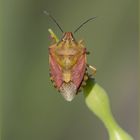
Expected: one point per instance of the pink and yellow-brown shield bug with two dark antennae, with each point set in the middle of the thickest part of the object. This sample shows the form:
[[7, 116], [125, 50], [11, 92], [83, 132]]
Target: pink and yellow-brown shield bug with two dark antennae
[[68, 64]]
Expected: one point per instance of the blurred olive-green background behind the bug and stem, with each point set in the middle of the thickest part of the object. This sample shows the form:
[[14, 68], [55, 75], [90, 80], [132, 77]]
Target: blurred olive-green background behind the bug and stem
[[31, 108]]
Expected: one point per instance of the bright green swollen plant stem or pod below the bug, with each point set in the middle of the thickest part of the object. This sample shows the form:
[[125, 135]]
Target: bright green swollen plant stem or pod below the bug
[[97, 101]]
